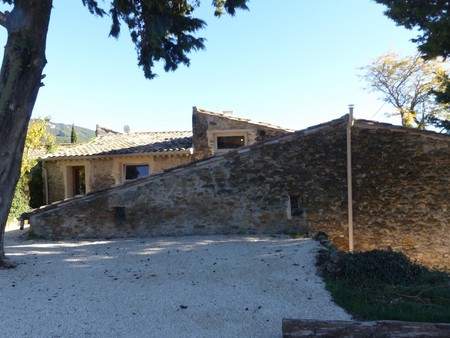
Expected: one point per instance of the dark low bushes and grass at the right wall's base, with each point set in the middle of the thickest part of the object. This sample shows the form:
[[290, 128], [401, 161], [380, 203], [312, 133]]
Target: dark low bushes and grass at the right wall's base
[[385, 285]]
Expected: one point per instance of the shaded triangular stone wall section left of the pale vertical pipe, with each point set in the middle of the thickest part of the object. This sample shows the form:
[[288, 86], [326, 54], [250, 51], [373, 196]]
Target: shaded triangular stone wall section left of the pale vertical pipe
[[275, 186]]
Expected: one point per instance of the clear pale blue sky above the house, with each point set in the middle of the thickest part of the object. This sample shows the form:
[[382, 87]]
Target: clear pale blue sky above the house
[[293, 63]]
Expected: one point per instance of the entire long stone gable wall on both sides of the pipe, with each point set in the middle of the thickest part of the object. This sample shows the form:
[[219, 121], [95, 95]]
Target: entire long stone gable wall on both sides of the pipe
[[291, 183]]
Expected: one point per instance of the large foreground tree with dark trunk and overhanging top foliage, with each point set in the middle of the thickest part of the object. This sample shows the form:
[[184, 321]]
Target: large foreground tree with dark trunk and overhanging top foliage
[[161, 30]]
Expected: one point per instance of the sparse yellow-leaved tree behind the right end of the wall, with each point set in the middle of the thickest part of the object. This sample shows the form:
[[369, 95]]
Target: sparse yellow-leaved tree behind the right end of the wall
[[406, 84]]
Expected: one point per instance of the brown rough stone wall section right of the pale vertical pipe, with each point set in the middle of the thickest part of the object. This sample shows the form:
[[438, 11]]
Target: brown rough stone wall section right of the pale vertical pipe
[[401, 193]]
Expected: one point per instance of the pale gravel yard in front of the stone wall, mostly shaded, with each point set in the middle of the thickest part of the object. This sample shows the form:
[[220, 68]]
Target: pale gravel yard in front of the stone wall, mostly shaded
[[215, 286]]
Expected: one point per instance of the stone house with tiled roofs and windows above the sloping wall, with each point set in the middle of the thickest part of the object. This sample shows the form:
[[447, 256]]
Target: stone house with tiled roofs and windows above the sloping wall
[[113, 158]]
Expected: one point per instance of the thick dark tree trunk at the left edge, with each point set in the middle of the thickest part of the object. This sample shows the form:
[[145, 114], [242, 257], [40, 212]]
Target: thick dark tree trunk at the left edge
[[20, 79]]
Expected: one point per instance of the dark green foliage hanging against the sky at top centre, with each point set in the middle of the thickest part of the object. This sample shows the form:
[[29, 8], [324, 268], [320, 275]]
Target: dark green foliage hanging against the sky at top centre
[[161, 30]]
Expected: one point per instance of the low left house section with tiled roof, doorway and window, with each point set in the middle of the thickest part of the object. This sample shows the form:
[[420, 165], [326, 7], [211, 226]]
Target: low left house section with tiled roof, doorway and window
[[110, 160]]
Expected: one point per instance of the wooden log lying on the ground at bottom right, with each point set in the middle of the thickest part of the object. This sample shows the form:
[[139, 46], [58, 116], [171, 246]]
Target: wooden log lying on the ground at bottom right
[[296, 328]]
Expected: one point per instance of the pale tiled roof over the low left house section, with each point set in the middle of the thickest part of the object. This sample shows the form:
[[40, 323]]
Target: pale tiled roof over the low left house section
[[127, 144]]
